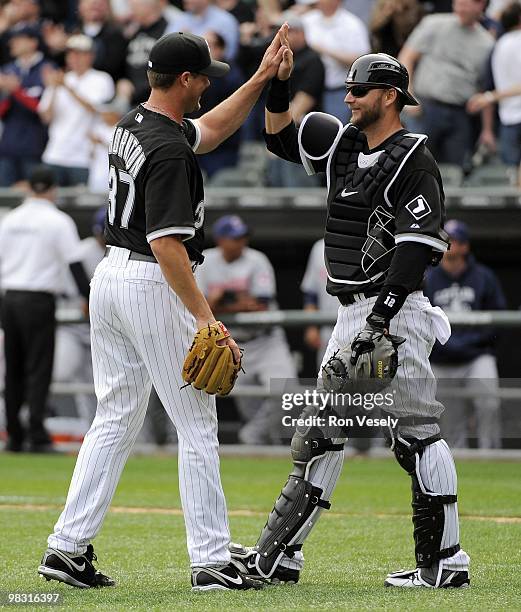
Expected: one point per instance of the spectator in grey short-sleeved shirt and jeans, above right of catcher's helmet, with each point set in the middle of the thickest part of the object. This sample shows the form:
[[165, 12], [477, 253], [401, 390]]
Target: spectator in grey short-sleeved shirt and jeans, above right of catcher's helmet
[[445, 56]]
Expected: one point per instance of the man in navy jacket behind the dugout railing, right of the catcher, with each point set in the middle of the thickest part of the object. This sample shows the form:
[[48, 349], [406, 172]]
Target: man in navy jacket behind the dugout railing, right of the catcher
[[461, 284]]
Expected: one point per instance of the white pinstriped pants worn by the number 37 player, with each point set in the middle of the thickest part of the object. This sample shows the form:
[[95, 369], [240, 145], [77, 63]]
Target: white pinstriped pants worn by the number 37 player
[[140, 334]]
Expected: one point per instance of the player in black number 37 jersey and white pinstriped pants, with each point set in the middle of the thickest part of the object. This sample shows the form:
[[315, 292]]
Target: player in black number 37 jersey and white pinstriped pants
[[145, 308]]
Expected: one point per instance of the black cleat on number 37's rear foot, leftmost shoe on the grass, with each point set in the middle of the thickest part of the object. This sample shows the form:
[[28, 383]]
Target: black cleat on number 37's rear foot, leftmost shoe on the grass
[[76, 570]]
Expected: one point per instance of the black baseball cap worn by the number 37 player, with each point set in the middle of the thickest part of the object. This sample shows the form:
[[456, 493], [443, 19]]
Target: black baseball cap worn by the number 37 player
[[181, 52]]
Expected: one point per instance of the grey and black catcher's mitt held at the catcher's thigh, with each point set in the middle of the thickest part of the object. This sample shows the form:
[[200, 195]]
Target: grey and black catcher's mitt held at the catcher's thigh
[[373, 356]]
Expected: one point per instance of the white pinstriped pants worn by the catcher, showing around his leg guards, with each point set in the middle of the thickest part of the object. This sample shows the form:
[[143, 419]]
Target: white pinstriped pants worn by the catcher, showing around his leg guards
[[419, 323]]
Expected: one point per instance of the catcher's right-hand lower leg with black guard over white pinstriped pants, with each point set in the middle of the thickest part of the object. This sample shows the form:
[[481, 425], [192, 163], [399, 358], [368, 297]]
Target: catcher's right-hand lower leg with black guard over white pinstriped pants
[[435, 516]]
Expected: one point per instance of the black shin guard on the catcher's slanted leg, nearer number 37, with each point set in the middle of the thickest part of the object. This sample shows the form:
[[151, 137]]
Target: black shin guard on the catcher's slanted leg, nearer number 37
[[299, 504]]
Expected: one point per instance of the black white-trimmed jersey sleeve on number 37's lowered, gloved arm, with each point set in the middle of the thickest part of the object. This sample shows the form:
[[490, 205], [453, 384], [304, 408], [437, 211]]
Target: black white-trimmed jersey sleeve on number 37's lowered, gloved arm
[[168, 200]]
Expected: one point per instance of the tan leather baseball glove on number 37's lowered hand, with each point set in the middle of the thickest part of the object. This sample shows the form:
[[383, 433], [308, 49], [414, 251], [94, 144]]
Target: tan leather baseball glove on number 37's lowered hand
[[208, 365]]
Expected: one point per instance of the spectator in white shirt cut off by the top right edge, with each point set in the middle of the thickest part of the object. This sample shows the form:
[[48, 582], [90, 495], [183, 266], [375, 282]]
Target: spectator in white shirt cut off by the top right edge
[[506, 72]]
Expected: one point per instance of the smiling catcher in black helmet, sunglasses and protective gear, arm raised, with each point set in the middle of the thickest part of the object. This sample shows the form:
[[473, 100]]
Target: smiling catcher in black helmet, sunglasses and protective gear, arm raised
[[383, 229]]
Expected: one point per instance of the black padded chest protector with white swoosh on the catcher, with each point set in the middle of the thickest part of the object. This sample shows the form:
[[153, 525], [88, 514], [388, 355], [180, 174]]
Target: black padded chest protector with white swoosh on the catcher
[[357, 187]]
